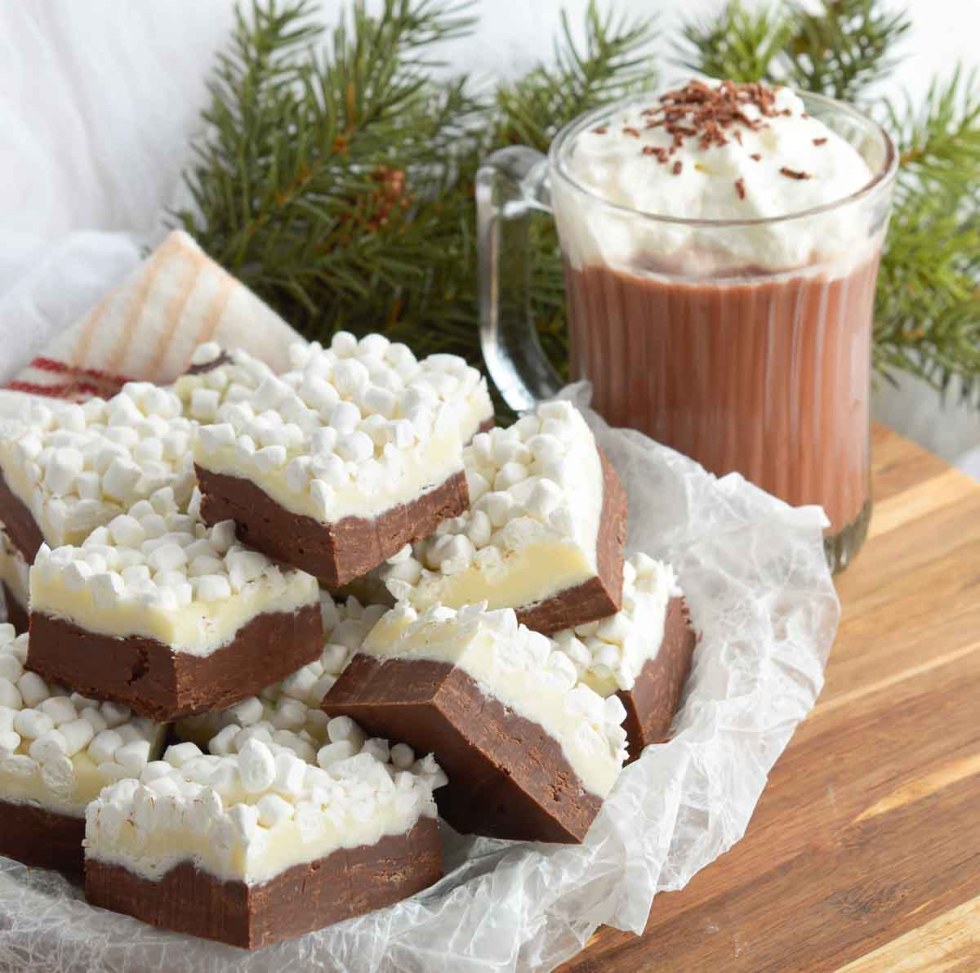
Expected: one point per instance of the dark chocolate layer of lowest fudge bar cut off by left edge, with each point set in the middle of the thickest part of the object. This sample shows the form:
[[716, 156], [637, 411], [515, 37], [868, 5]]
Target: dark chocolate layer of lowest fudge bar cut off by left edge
[[42, 838]]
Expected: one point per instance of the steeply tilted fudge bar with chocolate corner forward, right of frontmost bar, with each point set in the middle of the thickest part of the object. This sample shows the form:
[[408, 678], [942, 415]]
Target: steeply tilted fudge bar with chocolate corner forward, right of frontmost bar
[[530, 752]]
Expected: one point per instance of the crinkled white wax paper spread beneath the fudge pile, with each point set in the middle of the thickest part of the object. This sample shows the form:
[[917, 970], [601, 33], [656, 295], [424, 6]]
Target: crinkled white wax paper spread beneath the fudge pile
[[760, 595]]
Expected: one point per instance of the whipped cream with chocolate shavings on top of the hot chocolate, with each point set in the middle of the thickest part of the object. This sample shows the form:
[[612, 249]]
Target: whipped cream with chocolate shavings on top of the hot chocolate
[[711, 151]]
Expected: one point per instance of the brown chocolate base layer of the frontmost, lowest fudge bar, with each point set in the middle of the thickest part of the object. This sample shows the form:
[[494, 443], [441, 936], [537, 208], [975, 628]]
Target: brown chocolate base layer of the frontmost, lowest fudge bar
[[309, 896]]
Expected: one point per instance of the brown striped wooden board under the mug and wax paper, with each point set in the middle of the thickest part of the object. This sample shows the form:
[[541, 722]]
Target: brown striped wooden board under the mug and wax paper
[[864, 852]]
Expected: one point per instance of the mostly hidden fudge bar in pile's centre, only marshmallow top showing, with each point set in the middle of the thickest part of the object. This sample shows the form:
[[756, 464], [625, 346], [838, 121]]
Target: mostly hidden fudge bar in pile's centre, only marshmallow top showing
[[294, 703]]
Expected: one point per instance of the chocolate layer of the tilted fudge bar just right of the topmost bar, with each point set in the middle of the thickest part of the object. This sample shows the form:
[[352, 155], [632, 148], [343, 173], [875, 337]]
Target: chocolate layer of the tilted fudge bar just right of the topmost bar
[[600, 595]]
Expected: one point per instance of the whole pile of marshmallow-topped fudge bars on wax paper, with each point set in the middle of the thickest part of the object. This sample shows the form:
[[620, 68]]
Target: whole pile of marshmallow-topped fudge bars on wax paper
[[186, 560]]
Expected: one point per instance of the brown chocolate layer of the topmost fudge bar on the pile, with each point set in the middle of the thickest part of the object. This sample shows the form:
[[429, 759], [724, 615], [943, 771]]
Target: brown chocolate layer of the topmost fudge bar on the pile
[[335, 553]]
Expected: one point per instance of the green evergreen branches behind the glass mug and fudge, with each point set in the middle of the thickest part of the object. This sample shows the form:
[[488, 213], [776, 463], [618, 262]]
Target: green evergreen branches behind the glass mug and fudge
[[336, 173]]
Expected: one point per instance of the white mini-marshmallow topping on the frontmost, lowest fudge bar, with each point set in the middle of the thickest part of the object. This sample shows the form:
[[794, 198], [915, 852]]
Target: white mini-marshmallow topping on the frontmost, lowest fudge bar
[[249, 815]]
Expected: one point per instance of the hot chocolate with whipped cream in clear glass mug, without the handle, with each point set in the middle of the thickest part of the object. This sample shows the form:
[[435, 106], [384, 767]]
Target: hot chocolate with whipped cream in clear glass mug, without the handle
[[721, 247]]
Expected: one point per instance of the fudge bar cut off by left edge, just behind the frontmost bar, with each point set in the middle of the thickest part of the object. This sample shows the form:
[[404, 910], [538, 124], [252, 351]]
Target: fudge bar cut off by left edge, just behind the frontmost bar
[[57, 751]]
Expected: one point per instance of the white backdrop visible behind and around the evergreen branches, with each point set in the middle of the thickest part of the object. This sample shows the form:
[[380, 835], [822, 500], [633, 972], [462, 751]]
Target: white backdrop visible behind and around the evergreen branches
[[97, 101]]
